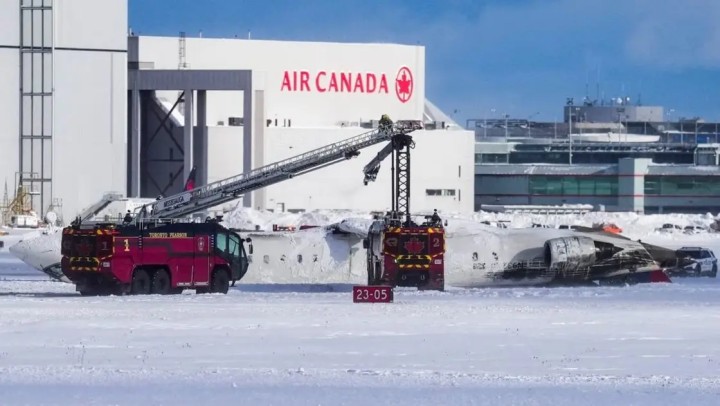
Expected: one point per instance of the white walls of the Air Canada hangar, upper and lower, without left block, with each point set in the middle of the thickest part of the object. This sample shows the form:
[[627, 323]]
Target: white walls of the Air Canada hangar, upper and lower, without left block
[[315, 94]]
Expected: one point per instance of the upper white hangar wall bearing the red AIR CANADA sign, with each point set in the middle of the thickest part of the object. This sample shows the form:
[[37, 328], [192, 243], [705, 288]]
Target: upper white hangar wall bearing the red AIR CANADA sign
[[310, 84]]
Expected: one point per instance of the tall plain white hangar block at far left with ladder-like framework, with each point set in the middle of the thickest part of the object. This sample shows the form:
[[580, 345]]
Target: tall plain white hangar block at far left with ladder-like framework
[[72, 137]]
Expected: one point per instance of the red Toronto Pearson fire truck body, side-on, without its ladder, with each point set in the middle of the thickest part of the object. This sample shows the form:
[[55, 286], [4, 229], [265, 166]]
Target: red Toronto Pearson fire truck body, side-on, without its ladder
[[153, 257]]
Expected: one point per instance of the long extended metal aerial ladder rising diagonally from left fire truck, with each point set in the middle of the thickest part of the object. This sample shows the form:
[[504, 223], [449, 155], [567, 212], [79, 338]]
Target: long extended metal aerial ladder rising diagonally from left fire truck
[[229, 189]]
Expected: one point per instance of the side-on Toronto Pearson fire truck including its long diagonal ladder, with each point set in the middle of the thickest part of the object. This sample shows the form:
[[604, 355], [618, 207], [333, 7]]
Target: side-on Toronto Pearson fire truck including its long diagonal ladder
[[160, 249]]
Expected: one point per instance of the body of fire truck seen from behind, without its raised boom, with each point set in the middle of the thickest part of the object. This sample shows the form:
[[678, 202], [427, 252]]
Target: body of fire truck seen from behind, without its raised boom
[[411, 255]]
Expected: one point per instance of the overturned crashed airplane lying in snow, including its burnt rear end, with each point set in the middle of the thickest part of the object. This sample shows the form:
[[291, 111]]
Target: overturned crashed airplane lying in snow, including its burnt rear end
[[477, 255]]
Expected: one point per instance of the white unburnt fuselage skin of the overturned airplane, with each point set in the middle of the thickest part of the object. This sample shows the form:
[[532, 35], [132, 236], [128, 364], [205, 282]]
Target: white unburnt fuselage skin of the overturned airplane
[[474, 251]]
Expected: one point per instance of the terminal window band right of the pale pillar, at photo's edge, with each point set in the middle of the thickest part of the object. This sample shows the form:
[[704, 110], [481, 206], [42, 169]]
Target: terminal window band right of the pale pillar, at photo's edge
[[682, 185]]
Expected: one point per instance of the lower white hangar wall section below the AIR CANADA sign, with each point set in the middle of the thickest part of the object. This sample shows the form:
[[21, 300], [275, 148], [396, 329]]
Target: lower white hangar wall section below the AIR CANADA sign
[[442, 173]]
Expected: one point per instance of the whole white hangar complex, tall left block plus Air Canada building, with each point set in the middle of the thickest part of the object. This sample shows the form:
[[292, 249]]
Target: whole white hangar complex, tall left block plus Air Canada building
[[87, 114]]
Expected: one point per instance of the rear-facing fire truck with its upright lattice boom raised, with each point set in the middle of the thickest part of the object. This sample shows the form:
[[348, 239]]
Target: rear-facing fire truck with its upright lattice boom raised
[[400, 251]]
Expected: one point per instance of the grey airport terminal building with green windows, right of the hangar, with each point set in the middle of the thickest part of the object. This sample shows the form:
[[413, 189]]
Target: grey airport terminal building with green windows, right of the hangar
[[645, 173]]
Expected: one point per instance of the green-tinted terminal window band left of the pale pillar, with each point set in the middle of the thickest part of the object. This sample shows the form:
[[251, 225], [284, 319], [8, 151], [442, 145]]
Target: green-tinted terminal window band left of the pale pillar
[[573, 185]]
